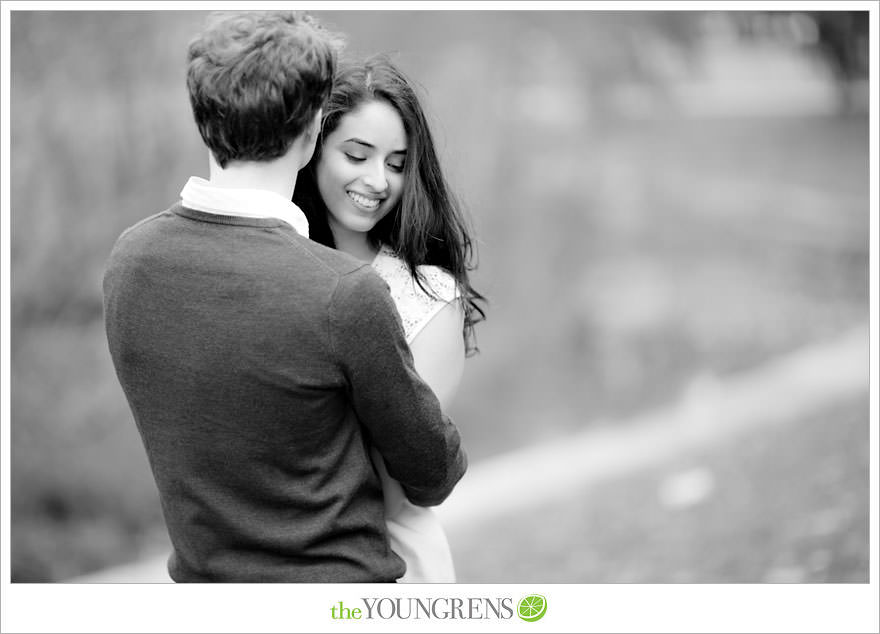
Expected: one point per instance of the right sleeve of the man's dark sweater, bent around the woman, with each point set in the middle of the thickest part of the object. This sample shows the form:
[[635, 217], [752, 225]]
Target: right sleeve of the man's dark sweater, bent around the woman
[[420, 445]]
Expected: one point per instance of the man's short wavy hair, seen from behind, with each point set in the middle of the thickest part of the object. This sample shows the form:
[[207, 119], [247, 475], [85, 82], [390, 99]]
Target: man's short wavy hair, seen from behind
[[256, 80]]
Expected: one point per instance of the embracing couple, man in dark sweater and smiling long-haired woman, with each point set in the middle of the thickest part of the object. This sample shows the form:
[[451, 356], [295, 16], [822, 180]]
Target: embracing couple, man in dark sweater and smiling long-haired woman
[[288, 334]]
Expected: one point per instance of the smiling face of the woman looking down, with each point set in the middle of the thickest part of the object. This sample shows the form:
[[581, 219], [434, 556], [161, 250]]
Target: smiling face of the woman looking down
[[360, 172]]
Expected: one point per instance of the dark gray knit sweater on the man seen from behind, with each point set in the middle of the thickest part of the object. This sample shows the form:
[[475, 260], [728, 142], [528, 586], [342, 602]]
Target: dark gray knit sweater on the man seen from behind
[[259, 367]]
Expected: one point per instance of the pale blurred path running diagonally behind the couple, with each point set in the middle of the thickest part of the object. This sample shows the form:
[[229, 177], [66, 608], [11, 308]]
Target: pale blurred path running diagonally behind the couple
[[710, 411]]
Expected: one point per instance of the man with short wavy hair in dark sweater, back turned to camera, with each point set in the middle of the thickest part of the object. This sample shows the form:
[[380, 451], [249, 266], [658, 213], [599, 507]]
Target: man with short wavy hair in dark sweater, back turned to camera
[[260, 366]]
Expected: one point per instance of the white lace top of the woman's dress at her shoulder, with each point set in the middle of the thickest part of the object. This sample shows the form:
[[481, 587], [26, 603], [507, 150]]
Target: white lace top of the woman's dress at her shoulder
[[416, 307]]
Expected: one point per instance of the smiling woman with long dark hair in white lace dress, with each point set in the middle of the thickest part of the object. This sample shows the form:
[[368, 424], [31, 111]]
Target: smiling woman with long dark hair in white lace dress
[[374, 189]]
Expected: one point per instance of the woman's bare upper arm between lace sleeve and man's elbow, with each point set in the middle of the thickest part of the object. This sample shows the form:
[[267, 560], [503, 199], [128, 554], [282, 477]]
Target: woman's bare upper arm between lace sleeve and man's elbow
[[438, 352]]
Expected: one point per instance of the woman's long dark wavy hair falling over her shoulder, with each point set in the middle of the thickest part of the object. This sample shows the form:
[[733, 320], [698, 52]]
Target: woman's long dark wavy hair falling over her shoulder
[[427, 225]]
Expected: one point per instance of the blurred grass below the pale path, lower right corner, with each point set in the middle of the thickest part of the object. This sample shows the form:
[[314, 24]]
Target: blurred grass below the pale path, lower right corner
[[788, 505]]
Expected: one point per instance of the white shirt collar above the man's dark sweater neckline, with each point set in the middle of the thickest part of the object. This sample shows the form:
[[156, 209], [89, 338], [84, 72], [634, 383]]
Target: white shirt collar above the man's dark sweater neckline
[[201, 195]]
